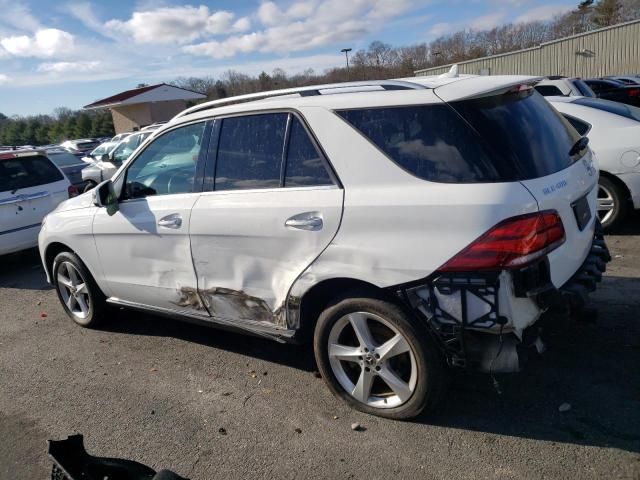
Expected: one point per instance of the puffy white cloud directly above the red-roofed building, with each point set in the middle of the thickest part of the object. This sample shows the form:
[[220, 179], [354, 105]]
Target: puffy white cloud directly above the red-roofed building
[[176, 25]]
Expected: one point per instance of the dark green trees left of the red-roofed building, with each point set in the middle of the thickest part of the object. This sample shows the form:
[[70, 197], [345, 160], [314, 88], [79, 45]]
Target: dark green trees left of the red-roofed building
[[63, 124]]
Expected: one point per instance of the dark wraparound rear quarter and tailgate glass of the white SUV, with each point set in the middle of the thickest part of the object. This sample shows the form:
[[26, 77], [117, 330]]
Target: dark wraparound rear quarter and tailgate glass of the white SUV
[[501, 138]]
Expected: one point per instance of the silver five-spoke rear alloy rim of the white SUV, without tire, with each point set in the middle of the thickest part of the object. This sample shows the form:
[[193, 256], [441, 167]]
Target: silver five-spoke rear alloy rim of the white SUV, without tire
[[372, 360]]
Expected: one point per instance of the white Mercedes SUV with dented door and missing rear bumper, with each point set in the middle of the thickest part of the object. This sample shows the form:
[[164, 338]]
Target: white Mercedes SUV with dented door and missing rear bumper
[[406, 226]]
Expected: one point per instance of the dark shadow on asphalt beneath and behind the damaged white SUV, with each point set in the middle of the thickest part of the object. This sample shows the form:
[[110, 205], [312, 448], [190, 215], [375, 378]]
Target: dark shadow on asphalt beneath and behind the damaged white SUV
[[592, 367]]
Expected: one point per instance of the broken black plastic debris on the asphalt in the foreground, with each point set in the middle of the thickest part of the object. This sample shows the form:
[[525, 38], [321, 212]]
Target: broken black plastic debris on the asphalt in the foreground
[[72, 462]]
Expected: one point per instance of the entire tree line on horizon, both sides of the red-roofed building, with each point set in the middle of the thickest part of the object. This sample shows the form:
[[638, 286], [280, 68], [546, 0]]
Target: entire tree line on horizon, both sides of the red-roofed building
[[379, 61]]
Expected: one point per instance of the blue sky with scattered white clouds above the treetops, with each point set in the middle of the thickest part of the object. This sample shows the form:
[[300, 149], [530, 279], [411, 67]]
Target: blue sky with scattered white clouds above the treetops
[[70, 53]]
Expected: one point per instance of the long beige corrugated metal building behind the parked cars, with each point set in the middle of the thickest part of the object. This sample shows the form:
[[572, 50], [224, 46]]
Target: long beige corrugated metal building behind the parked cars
[[607, 51]]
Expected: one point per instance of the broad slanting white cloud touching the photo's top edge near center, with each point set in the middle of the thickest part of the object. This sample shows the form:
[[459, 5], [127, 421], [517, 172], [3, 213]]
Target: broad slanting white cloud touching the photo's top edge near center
[[327, 22]]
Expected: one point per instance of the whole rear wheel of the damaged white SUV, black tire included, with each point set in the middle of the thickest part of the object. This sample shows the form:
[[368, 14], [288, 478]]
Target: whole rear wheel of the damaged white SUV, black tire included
[[350, 368]]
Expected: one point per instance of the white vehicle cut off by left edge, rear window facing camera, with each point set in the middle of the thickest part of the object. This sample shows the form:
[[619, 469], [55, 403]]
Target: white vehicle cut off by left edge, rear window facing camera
[[31, 186]]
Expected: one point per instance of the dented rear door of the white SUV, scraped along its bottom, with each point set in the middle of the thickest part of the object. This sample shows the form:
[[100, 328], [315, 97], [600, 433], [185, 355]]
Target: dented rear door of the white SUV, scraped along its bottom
[[273, 204]]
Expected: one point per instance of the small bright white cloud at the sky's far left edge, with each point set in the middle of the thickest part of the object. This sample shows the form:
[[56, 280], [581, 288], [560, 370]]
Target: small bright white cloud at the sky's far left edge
[[49, 42]]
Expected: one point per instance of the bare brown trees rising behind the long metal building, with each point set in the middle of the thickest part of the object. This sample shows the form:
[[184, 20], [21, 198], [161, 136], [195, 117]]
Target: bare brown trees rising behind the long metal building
[[382, 60]]
